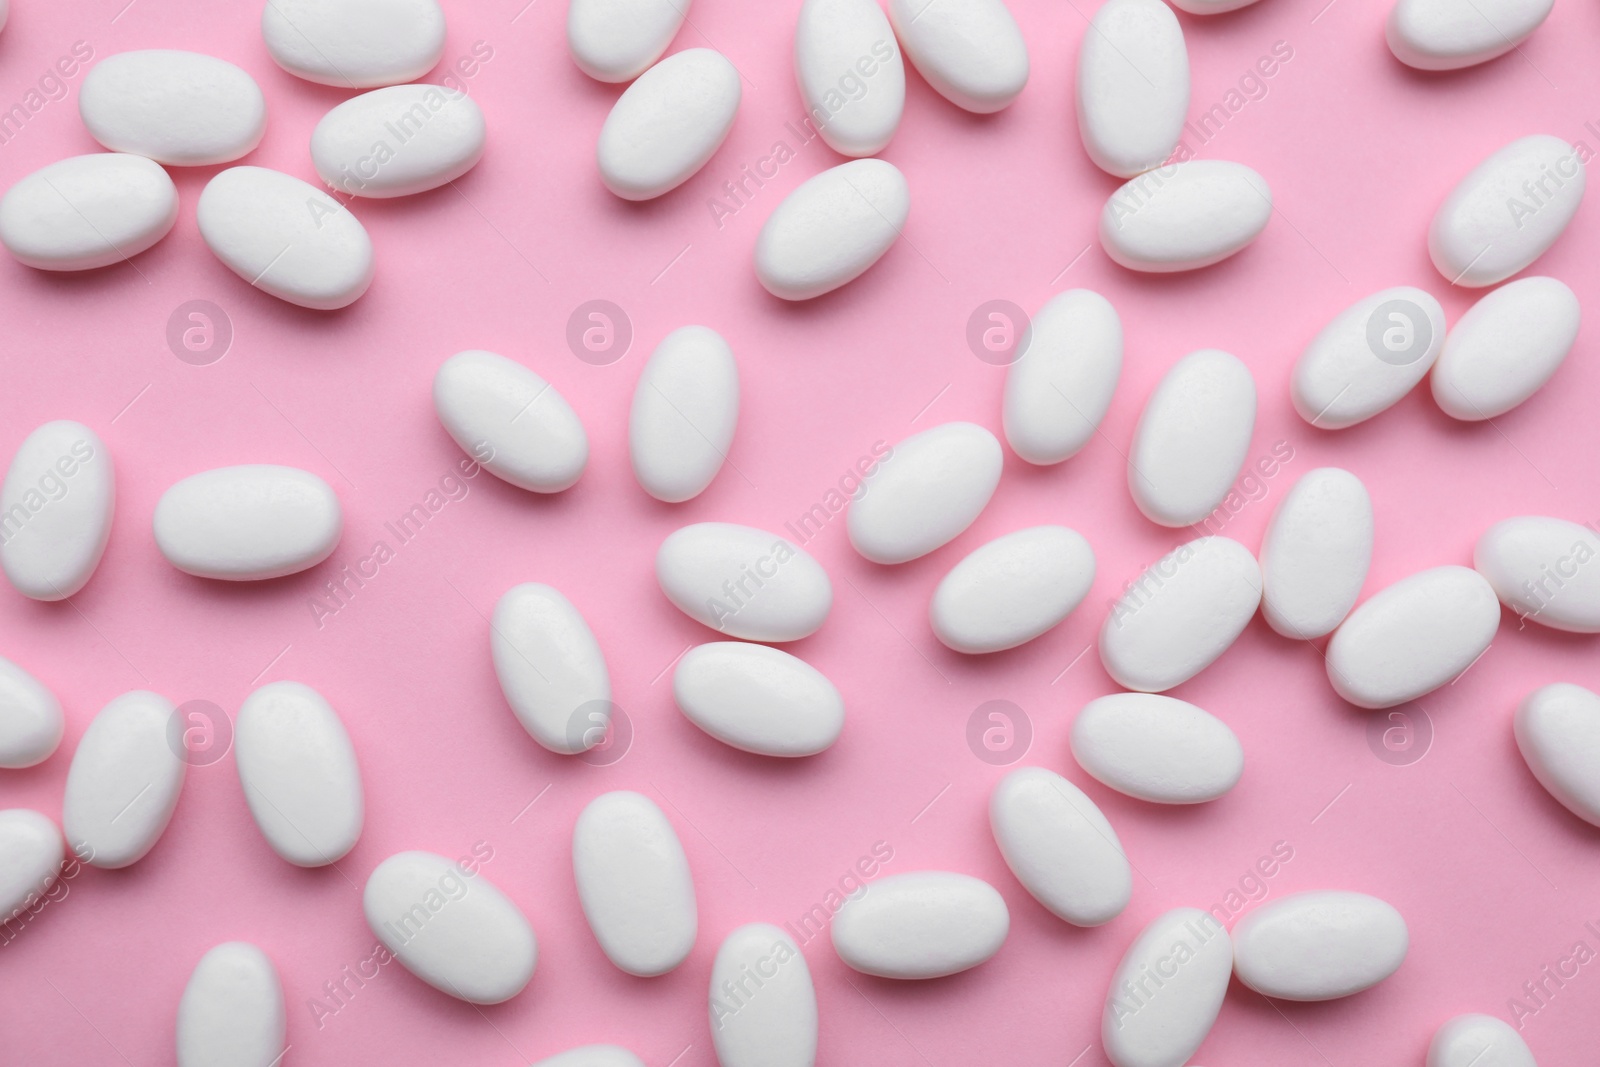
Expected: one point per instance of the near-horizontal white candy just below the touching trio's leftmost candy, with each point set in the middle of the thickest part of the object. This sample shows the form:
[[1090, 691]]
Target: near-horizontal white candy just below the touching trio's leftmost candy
[[1158, 749]]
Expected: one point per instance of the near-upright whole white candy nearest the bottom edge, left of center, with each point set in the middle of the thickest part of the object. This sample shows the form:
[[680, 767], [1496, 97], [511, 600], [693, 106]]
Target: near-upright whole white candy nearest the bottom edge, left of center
[[634, 884]]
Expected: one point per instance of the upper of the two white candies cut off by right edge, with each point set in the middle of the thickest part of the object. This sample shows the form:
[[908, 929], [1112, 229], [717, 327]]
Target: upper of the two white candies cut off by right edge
[[1540, 569]]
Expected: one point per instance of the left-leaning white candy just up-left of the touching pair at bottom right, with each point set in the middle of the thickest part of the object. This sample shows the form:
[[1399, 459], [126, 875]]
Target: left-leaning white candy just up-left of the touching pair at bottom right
[[1060, 847]]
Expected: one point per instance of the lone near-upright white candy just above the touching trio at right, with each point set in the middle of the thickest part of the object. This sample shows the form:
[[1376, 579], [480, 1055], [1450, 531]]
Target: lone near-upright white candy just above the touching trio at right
[[1193, 438]]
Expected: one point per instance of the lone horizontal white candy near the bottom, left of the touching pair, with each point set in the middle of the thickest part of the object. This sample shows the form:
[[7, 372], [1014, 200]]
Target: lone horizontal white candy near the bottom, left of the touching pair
[[926, 924]]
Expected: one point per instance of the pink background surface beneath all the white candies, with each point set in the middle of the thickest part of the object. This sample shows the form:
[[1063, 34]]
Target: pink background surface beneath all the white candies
[[1495, 879]]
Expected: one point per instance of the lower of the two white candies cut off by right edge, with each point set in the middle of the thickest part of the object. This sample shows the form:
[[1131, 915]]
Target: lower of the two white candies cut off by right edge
[[1559, 735]]
